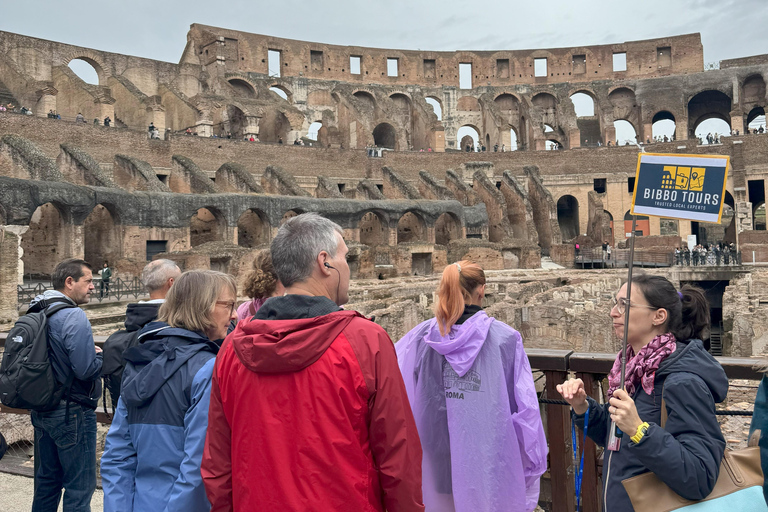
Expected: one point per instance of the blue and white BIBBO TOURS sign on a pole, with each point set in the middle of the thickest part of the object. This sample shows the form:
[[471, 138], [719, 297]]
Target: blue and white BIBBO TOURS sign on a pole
[[687, 187]]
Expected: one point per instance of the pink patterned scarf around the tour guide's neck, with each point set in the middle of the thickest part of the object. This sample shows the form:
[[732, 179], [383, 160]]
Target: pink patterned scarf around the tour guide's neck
[[641, 368]]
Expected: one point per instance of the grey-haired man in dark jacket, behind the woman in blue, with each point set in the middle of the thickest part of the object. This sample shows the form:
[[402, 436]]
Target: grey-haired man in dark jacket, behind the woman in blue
[[157, 277]]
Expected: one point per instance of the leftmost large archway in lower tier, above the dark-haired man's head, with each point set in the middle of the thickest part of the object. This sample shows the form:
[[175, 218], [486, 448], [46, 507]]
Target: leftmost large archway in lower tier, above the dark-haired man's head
[[45, 243]]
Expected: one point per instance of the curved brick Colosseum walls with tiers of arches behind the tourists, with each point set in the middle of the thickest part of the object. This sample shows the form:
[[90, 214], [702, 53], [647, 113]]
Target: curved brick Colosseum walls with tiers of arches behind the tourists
[[111, 193]]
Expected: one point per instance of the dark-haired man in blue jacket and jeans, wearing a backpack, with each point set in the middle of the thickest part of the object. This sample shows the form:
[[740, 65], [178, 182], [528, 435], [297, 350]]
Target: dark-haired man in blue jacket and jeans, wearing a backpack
[[65, 436]]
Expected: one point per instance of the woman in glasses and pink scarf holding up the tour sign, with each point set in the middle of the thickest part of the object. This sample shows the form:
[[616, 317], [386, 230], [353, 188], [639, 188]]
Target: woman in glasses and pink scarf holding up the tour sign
[[667, 360]]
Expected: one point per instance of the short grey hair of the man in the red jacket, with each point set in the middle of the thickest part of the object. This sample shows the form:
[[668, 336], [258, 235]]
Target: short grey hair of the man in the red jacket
[[297, 244]]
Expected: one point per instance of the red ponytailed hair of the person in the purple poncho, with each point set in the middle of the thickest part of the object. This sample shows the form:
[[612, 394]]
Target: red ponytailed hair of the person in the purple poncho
[[455, 291]]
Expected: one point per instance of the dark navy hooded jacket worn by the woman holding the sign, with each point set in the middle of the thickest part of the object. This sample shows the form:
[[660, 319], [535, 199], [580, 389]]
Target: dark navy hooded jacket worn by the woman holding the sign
[[686, 454]]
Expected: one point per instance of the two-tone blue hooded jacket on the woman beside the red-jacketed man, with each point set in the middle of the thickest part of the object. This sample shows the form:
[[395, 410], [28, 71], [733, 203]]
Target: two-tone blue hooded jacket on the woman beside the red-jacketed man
[[154, 447]]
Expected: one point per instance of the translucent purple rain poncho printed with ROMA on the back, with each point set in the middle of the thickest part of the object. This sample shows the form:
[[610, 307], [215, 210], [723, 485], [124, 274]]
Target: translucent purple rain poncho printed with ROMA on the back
[[476, 409]]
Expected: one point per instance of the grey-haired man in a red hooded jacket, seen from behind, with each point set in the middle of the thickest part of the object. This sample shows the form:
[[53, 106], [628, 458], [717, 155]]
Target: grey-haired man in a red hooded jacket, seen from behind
[[308, 407]]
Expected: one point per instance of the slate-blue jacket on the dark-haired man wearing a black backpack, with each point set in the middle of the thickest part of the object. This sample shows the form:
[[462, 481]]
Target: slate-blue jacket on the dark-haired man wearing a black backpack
[[72, 350]]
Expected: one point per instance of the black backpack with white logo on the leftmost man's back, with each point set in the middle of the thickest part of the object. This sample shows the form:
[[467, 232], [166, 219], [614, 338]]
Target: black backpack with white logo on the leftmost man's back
[[27, 380]]
